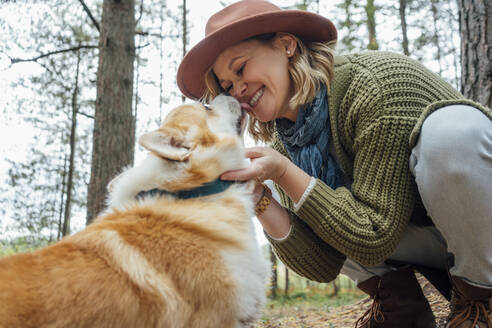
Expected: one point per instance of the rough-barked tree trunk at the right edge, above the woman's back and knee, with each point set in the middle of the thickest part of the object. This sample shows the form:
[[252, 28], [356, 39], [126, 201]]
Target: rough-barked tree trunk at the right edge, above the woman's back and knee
[[476, 38]]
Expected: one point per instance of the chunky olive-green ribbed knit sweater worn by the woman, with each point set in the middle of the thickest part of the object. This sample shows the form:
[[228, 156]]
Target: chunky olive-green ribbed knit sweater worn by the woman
[[377, 103]]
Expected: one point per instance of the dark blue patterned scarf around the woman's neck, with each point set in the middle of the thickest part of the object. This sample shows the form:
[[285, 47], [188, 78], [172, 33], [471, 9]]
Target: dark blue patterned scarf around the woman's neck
[[307, 140]]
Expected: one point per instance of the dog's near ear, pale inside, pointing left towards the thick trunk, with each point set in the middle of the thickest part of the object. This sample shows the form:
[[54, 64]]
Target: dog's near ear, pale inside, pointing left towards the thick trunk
[[172, 147]]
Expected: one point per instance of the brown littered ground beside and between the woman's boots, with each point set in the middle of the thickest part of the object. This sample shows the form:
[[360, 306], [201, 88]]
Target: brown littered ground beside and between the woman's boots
[[306, 316]]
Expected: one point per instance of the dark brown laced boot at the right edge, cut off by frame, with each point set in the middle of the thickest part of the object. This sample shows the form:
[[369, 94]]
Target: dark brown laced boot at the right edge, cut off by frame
[[470, 306]]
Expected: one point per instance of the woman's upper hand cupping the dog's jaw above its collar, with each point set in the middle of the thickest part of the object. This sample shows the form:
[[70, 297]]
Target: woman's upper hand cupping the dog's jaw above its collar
[[266, 163]]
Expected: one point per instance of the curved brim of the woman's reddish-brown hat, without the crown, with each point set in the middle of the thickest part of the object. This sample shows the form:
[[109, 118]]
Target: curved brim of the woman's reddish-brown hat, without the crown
[[306, 25]]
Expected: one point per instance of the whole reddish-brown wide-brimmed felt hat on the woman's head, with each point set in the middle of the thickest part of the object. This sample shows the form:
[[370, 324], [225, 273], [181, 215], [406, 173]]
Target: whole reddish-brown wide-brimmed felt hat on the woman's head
[[240, 21]]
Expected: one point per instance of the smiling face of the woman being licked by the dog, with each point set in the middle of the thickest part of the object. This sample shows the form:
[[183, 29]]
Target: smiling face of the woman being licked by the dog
[[256, 74]]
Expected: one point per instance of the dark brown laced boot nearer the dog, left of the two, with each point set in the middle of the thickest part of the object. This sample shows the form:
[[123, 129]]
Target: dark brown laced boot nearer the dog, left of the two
[[398, 302]]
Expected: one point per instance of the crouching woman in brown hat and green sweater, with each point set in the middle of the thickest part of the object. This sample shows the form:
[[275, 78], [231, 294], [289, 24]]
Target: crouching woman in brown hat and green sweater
[[364, 147]]
